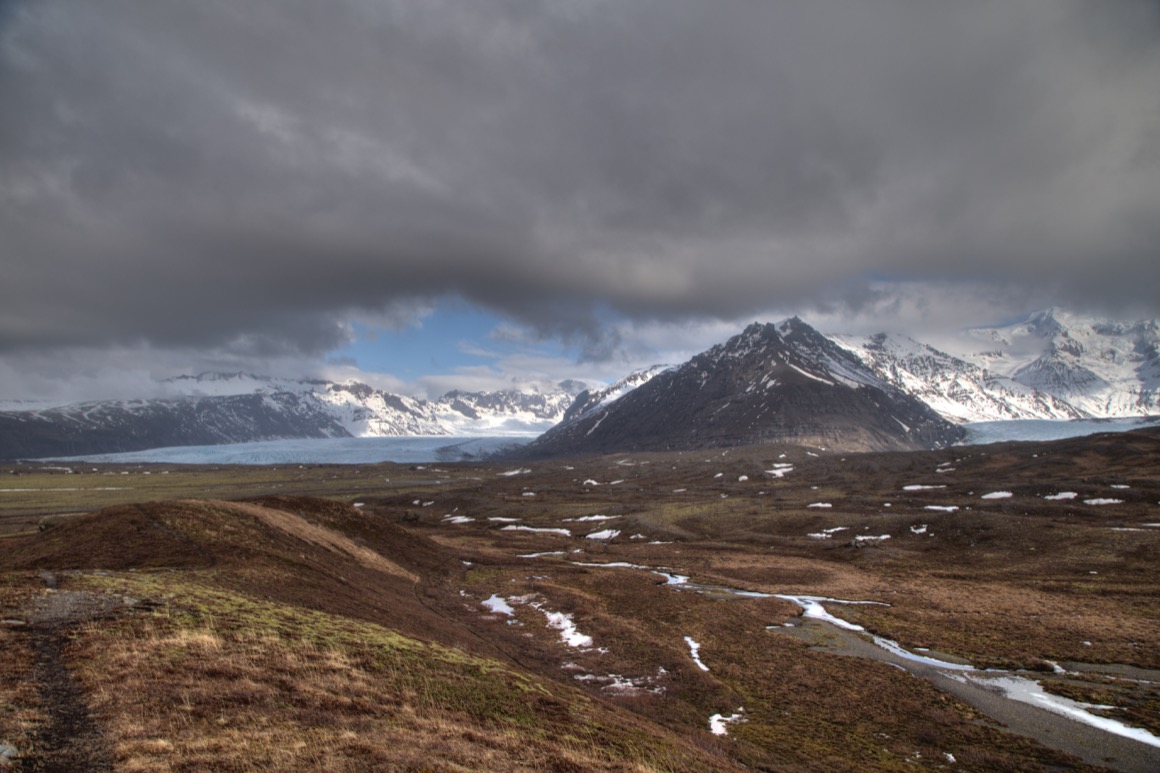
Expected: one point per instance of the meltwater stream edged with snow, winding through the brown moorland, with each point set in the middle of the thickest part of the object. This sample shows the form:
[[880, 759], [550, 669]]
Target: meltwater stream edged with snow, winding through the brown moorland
[[1017, 702]]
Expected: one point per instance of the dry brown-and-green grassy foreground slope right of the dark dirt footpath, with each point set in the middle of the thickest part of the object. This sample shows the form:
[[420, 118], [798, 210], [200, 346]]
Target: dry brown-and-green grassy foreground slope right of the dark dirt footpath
[[213, 682]]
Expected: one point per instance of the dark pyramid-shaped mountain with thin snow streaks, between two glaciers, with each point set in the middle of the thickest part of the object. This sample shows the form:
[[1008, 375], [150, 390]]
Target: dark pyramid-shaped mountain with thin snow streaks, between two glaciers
[[771, 385]]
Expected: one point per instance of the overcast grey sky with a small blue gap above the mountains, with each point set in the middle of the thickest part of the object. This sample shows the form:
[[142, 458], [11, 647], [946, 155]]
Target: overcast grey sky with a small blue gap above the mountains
[[430, 194]]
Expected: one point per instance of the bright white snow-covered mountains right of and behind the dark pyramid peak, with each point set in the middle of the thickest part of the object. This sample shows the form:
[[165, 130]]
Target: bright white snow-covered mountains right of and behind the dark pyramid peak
[[1050, 366]]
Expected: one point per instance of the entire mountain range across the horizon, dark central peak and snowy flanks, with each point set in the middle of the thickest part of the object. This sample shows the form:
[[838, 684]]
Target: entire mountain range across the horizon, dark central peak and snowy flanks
[[772, 384]]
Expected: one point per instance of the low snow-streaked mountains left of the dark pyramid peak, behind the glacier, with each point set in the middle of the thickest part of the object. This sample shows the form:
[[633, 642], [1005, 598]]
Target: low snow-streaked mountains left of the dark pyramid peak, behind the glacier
[[237, 408]]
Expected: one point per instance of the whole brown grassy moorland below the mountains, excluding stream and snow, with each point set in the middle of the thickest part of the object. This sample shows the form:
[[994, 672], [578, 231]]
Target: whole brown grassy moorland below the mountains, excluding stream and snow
[[330, 618]]
